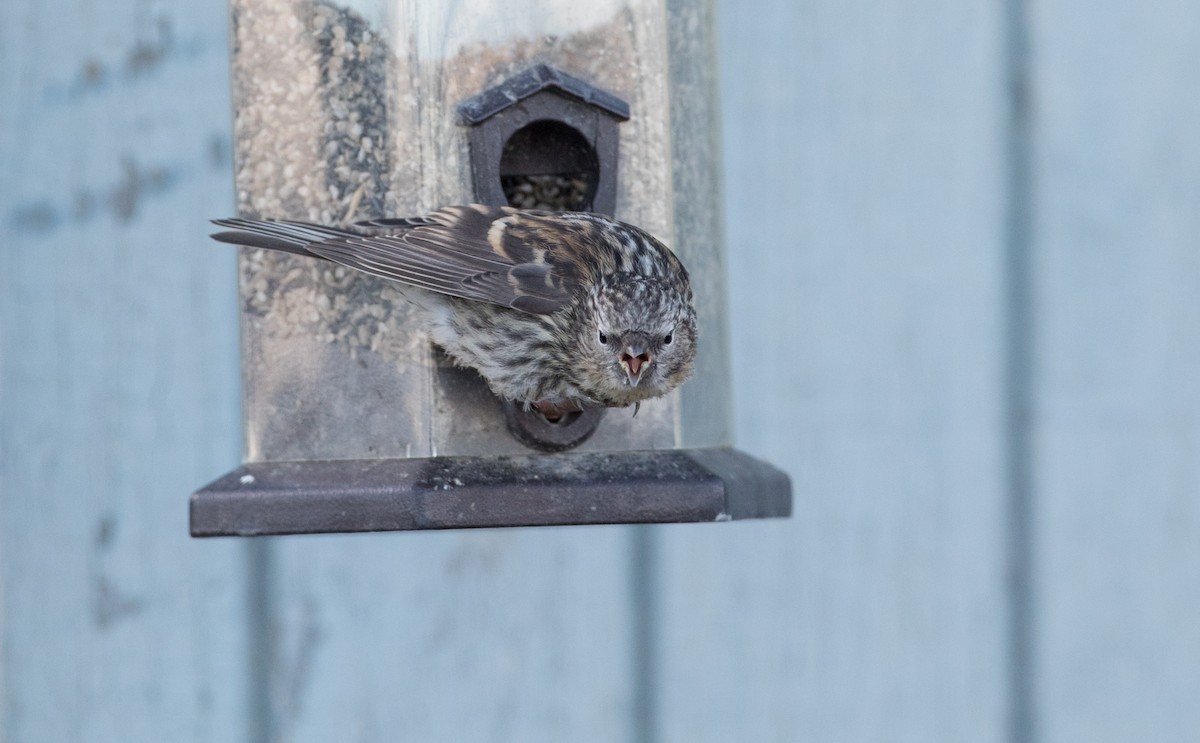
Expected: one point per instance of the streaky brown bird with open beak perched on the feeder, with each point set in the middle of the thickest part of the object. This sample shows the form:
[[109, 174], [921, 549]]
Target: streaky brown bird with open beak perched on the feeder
[[561, 311]]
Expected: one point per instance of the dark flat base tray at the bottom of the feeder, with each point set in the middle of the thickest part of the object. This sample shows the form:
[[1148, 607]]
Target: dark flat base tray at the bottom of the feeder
[[668, 487]]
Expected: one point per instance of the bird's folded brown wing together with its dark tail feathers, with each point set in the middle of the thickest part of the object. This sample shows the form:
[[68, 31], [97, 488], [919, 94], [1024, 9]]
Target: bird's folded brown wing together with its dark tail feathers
[[472, 253]]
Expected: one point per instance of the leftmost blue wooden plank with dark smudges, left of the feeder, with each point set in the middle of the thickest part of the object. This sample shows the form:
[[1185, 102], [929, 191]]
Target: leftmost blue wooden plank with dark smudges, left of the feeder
[[118, 376]]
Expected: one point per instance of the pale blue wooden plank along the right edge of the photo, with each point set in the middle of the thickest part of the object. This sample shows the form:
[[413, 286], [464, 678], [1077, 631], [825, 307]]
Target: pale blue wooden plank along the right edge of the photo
[[1117, 352]]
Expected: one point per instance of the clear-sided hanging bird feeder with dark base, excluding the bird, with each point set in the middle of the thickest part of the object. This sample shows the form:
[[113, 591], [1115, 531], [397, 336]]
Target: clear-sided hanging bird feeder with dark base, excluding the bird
[[355, 421]]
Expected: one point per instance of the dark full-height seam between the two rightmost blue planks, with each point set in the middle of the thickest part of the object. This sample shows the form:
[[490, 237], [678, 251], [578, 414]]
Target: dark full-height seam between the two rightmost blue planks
[[1019, 340]]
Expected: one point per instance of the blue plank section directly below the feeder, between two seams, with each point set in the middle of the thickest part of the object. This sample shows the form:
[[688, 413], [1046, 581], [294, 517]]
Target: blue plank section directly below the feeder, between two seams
[[501, 636]]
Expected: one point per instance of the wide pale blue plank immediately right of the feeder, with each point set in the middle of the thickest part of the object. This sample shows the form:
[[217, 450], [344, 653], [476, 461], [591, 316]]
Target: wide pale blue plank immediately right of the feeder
[[866, 208]]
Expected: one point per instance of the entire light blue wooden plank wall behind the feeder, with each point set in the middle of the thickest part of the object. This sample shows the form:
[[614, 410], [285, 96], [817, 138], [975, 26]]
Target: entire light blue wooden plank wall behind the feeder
[[964, 249]]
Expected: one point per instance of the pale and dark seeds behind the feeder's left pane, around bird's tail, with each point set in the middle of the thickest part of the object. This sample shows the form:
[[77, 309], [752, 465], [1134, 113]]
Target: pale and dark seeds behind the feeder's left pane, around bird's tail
[[311, 127]]
